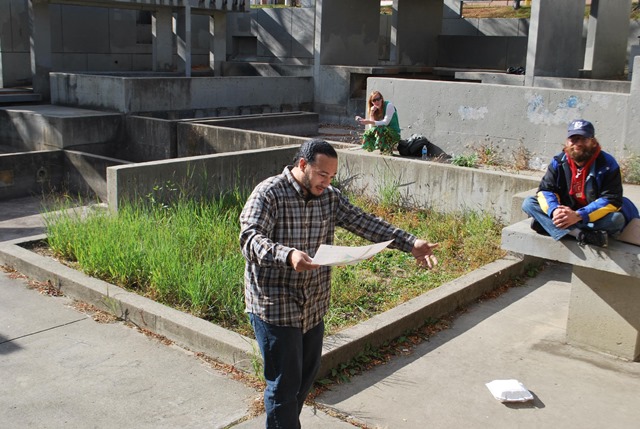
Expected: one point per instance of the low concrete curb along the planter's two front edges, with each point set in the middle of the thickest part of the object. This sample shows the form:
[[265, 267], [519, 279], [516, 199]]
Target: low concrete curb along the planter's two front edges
[[234, 349]]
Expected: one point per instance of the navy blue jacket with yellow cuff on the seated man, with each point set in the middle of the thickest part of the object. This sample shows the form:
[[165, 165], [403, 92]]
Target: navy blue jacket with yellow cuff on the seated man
[[603, 189]]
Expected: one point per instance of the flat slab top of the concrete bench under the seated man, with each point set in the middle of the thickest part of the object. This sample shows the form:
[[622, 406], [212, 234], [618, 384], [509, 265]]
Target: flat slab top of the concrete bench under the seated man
[[618, 258]]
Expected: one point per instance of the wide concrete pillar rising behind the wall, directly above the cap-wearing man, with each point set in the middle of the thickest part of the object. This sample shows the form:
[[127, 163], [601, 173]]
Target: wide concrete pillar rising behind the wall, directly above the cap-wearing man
[[555, 39]]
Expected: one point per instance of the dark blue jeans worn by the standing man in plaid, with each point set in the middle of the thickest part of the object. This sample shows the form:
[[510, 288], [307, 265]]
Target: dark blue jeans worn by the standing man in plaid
[[291, 362]]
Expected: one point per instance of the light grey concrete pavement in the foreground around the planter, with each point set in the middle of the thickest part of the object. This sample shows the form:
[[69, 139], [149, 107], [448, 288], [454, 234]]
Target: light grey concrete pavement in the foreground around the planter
[[59, 368]]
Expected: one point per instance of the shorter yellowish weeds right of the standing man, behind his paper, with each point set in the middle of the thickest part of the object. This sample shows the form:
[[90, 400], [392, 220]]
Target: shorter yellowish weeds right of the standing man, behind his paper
[[467, 241]]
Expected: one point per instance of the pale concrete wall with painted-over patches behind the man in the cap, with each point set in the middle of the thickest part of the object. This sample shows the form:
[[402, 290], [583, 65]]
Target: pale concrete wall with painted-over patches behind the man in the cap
[[458, 117]]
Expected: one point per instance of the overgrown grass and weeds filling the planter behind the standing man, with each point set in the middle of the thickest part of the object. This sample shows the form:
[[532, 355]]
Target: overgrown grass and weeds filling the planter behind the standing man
[[187, 256]]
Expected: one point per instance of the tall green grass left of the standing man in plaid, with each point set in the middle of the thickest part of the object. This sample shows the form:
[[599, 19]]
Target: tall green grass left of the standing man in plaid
[[185, 255]]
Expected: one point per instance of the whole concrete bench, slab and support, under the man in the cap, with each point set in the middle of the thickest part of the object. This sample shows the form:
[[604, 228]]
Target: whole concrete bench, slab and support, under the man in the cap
[[604, 308]]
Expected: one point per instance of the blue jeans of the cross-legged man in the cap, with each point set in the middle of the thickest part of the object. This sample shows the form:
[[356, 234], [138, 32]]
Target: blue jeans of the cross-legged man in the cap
[[611, 223]]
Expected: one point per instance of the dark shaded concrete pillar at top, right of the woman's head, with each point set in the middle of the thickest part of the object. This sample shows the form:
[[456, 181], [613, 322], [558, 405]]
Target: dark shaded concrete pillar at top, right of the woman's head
[[413, 44]]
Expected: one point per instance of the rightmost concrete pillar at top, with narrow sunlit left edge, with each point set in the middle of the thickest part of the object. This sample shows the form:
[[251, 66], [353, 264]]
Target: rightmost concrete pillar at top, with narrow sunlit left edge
[[608, 30]]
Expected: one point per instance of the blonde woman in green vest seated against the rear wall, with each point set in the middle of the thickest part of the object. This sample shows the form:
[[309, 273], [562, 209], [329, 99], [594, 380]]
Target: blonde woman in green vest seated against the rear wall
[[382, 125]]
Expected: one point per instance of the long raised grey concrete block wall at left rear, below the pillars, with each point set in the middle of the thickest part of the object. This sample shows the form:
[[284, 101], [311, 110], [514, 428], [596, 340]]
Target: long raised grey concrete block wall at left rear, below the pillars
[[133, 95]]
